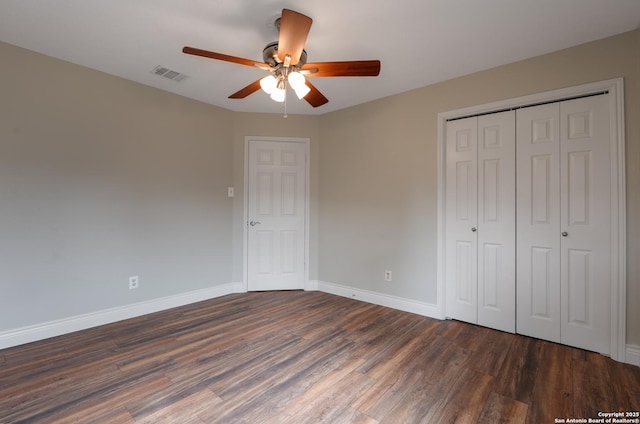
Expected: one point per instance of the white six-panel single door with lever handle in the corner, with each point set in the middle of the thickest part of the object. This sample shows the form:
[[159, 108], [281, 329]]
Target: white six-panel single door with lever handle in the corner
[[276, 215]]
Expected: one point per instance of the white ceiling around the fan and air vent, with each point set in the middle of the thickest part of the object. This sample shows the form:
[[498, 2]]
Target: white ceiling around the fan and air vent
[[419, 42]]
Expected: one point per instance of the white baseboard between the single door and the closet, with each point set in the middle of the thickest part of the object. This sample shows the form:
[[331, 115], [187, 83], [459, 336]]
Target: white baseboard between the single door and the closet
[[403, 304]]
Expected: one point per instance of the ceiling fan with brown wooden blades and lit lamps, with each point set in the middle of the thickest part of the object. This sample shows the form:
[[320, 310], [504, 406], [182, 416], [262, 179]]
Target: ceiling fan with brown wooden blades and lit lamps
[[286, 60]]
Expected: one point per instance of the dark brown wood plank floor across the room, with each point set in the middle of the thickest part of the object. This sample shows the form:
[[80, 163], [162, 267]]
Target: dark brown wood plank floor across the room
[[305, 357]]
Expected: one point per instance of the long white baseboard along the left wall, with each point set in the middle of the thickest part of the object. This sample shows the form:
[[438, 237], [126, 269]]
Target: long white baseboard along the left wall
[[81, 322]]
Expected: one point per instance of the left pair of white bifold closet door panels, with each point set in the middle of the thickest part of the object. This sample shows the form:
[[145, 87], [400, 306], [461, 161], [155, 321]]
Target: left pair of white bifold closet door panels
[[480, 208]]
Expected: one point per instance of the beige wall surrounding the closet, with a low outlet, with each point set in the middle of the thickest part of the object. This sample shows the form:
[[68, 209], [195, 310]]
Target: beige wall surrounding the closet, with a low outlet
[[378, 169]]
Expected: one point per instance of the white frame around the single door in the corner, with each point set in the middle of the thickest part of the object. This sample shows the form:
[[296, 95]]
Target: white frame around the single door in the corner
[[245, 217]]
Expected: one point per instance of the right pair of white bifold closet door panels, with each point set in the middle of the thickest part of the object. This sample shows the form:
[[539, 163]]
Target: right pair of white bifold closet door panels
[[563, 201]]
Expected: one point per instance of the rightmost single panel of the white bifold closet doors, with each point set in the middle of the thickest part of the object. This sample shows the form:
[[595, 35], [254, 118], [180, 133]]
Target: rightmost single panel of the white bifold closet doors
[[585, 204]]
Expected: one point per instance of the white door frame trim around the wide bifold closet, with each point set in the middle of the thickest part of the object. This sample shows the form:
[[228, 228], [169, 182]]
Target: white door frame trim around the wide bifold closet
[[615, 89]]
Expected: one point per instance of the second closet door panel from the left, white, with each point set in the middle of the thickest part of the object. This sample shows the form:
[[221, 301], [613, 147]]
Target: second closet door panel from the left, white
[[496, 221]]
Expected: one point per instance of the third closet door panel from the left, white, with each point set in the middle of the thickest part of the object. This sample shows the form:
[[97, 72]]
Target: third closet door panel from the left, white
[[538, 226]]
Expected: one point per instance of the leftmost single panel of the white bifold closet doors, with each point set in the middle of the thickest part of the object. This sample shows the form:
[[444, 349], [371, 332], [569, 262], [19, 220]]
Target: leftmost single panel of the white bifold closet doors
[[461, 215]]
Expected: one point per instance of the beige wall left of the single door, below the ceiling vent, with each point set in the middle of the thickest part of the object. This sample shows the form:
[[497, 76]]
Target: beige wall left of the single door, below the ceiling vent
[[100, 179]]
